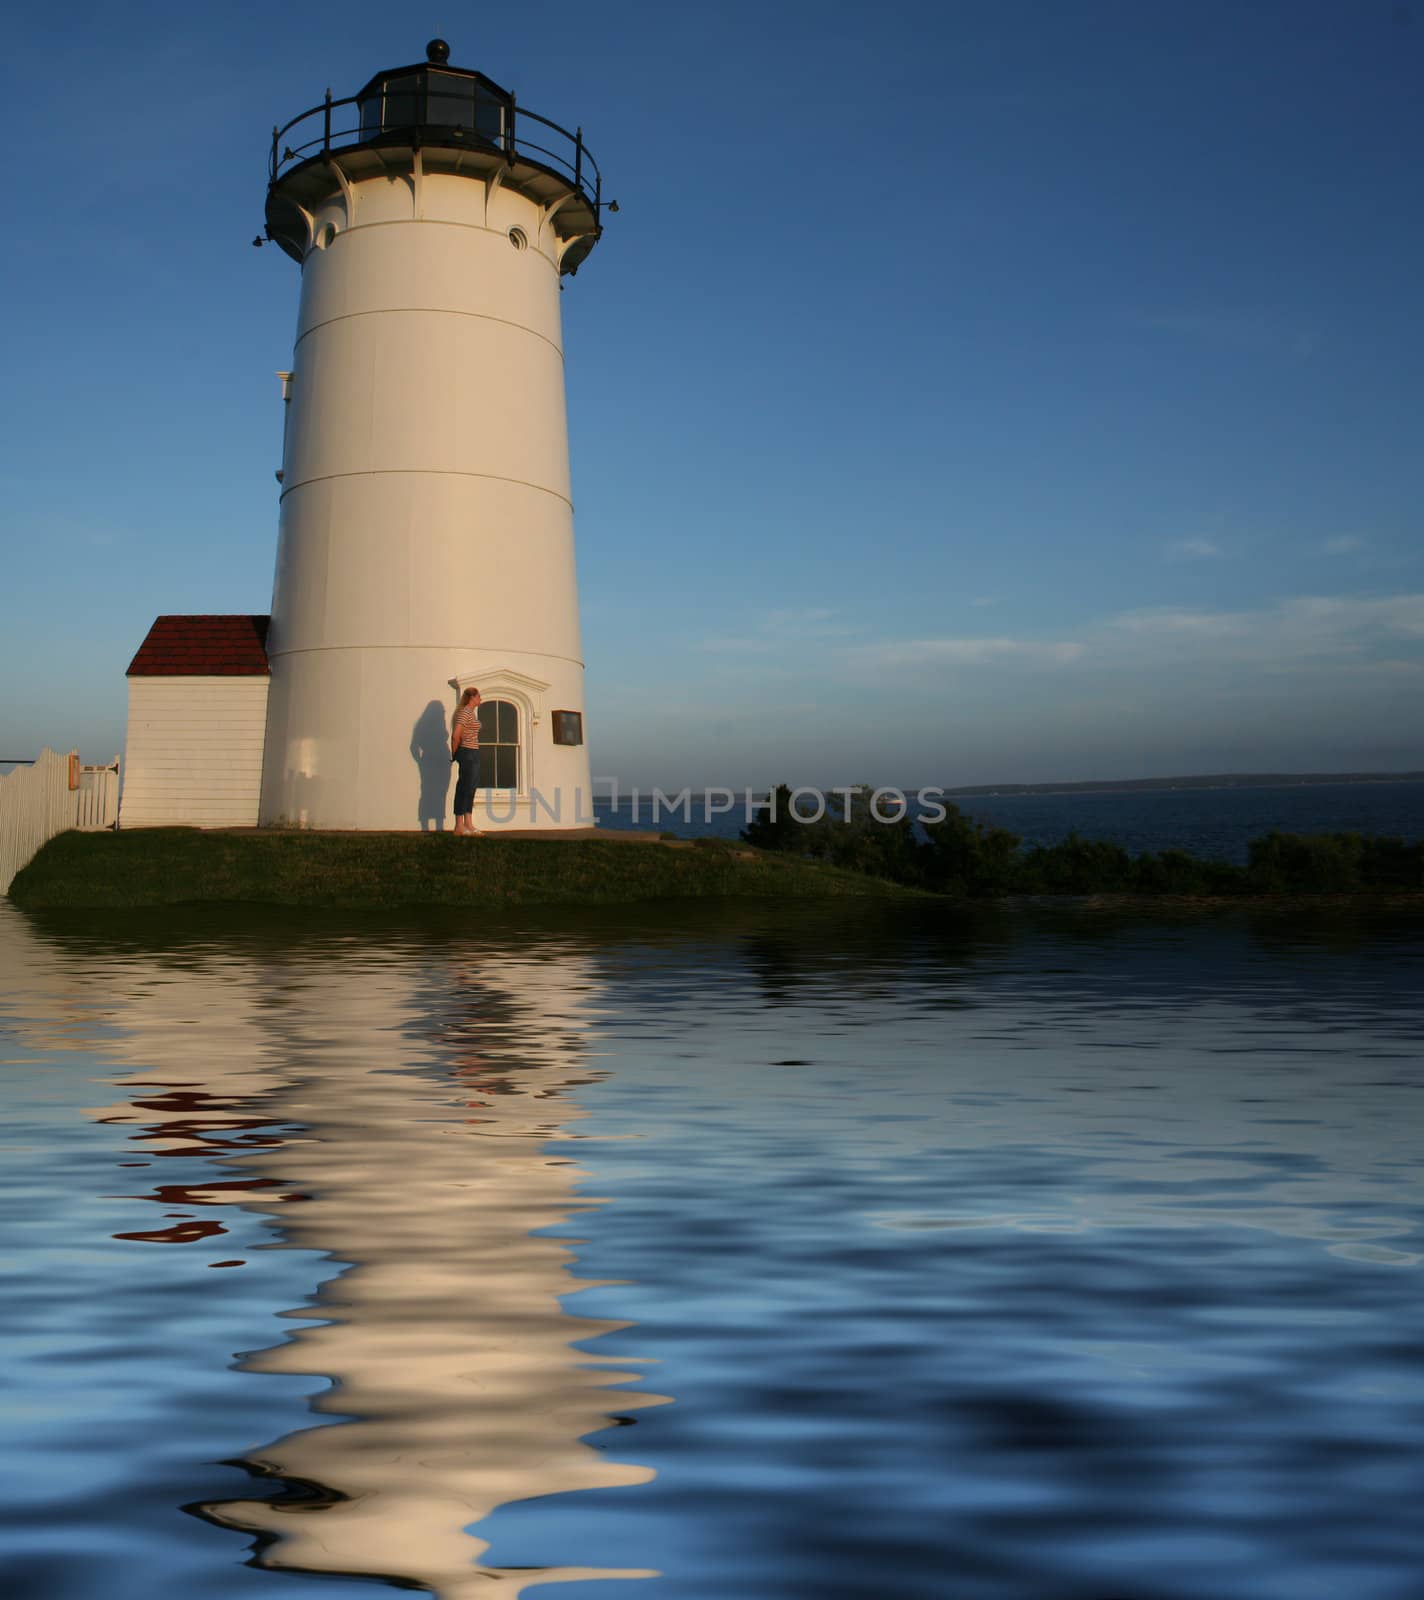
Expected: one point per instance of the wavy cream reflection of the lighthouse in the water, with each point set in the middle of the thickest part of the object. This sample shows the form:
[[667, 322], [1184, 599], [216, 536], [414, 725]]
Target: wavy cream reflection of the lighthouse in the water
[[431, 1108]]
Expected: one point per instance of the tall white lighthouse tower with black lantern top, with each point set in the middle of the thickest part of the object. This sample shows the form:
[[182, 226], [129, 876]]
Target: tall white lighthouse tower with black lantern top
[[426, 534]]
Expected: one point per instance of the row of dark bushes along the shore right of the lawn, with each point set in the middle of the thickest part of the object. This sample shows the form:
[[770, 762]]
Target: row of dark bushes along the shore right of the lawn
[[974, 860]]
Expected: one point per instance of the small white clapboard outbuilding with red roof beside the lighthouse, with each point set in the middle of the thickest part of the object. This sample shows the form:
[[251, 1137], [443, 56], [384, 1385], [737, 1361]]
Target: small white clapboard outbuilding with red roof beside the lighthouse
[[198, 718]]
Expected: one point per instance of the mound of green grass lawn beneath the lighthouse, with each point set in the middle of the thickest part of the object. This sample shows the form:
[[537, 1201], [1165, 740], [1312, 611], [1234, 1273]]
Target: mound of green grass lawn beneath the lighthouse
[[177, 866]]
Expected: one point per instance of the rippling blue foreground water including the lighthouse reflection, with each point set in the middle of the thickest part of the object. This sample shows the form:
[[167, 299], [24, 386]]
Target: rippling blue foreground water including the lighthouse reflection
[[713, 1252]]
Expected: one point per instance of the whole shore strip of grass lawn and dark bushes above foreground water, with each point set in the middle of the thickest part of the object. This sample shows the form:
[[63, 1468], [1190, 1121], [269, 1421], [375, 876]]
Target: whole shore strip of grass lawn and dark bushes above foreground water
[[956, 858]]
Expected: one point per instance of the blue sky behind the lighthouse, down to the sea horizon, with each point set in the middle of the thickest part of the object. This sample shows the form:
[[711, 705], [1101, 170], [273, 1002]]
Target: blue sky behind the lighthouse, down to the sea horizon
[[964, 391]]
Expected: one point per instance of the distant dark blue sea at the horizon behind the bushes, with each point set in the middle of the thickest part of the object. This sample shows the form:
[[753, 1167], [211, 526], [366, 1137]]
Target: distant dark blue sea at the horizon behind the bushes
[[1210, 823]]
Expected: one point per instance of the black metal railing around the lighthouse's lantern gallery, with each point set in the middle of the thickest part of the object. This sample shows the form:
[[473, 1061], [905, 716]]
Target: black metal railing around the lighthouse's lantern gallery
[[404, 110]]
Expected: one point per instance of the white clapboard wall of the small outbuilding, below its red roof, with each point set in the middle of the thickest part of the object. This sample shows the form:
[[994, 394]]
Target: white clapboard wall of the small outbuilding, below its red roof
[[194, 754]]
